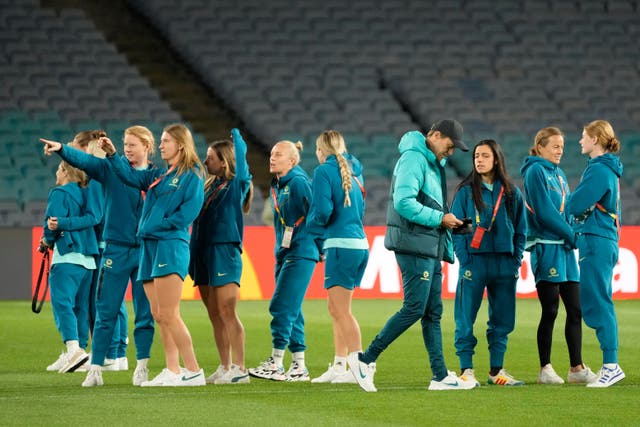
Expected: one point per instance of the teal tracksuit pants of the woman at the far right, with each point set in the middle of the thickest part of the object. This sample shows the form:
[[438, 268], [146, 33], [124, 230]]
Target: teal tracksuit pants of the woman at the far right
[[598, 256]]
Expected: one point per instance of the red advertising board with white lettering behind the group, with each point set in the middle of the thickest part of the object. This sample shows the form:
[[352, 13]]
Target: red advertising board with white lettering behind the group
[[382, 276]]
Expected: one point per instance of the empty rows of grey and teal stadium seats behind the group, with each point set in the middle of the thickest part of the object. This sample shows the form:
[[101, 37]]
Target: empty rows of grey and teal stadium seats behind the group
[[372, 69]]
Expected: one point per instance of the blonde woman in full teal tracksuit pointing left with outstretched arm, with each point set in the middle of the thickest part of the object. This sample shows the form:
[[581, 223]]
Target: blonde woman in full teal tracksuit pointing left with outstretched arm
[[121, 254]]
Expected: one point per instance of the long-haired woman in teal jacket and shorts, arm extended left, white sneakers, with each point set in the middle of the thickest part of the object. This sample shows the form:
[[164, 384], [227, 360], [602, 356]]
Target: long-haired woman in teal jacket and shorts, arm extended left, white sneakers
[[173, 198]]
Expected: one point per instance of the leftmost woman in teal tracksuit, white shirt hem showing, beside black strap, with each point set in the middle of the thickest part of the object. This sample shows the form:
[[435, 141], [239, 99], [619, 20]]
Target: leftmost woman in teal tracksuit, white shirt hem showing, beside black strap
[[72, 266]]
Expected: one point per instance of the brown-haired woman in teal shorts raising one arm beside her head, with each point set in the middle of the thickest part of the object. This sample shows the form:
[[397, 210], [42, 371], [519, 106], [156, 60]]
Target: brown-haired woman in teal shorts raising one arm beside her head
[[216, 252]]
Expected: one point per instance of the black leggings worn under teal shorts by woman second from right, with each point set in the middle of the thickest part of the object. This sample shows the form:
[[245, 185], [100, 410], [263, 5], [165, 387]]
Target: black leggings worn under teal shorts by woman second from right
[[548, 296]]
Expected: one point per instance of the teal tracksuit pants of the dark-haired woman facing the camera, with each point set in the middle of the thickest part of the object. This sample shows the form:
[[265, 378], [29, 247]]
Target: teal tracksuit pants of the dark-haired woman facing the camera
[[497, 274]]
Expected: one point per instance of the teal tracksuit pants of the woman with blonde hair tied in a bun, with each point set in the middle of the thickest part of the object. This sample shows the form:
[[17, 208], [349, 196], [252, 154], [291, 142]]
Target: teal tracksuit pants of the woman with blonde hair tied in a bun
[[287, 324]]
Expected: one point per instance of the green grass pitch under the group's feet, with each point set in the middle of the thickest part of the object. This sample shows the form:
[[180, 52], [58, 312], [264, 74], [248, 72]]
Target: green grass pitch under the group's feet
[[30, 396]]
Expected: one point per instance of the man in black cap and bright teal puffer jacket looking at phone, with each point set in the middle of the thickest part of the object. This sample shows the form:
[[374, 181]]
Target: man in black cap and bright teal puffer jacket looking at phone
[[419, 232]]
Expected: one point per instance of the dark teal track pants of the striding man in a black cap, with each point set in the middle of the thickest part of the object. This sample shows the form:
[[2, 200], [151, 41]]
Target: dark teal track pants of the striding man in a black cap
[[422, 284]]
